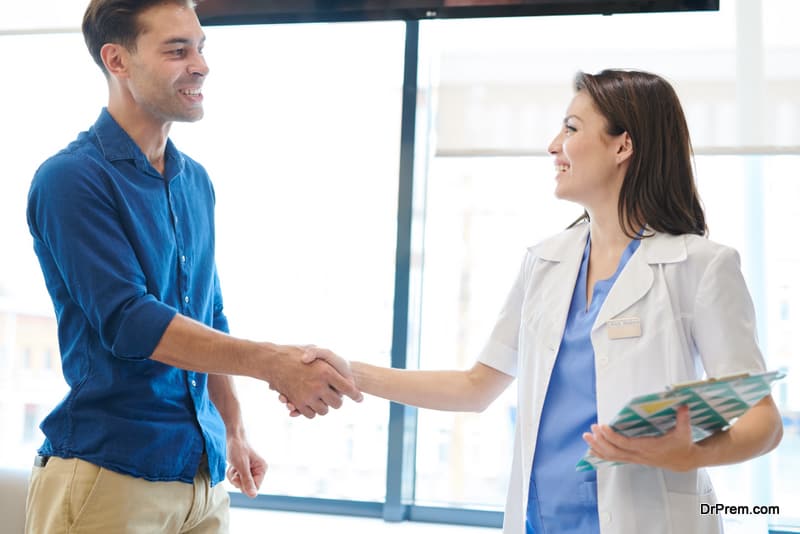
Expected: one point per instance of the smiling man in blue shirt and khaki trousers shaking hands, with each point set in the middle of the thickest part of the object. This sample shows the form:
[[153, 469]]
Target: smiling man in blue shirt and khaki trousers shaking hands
[[123, 227]]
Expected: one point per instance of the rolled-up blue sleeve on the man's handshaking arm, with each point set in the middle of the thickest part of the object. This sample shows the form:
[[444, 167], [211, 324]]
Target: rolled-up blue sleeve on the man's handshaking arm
[[87, 257]]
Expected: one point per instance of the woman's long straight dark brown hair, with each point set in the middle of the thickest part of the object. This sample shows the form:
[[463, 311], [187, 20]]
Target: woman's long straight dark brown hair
[[659, 188]]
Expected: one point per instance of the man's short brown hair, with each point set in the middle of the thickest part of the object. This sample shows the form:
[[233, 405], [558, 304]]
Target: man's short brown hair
[[116, 21]]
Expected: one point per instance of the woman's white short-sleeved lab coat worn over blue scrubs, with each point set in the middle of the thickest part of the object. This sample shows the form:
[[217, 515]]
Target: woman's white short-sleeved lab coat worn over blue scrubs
[[696, 316]]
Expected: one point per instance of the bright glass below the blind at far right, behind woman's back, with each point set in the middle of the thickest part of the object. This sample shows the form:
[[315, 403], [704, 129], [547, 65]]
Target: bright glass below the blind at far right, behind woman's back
[[751, 205]]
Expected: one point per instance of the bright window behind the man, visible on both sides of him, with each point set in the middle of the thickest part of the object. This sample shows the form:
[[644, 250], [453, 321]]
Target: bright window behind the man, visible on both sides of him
[[301, 140]]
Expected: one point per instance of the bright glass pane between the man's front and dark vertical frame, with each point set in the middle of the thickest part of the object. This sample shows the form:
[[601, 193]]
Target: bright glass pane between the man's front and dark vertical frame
[[301, 138]]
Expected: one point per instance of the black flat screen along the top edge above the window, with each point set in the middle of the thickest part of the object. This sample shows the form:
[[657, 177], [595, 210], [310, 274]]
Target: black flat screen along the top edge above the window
[[218, 12]]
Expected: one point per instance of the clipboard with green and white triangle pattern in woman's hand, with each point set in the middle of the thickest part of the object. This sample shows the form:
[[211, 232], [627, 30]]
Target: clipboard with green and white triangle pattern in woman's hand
[[714, 404]]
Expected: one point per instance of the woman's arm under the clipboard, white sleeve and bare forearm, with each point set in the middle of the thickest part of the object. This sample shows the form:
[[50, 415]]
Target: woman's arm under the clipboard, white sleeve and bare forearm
[[724, 332]]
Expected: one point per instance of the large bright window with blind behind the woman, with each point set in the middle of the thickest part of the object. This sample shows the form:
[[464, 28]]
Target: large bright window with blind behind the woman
[[492, 105]]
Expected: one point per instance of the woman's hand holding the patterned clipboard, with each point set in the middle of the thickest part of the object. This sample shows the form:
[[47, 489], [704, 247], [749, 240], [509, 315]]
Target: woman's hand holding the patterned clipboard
[[674, 450]]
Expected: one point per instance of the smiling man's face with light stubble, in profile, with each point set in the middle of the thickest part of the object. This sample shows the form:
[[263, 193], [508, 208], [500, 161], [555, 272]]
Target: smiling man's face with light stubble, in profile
[[167, 69]]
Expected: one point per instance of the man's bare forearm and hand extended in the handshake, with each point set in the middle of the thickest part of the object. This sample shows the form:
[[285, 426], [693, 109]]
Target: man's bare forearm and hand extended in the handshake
[[193, 346]]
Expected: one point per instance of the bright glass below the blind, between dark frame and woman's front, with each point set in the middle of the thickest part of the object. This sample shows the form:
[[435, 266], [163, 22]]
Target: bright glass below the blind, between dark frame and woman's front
[[478, 221]]
